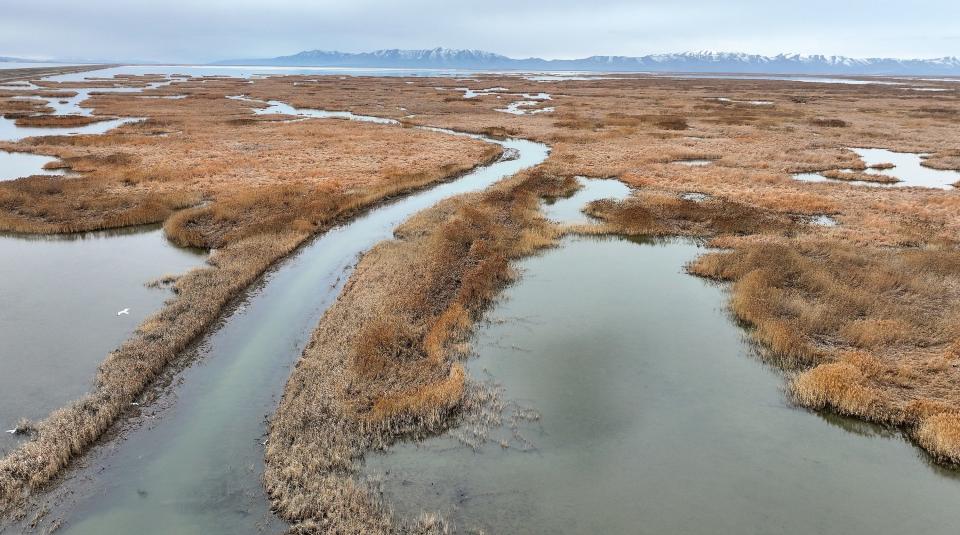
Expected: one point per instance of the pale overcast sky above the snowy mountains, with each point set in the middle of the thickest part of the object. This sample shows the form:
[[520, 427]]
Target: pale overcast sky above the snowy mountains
[[203, 30]]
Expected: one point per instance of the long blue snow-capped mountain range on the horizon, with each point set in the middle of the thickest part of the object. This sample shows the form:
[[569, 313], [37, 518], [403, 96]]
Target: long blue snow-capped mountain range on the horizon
[[701, 61]]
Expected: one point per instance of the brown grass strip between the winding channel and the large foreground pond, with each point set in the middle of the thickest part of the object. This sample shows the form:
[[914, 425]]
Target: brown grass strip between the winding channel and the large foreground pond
[[380, 365]]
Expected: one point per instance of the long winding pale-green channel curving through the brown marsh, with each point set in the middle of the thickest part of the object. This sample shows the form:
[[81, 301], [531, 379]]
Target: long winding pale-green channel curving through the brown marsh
[[191, 462]]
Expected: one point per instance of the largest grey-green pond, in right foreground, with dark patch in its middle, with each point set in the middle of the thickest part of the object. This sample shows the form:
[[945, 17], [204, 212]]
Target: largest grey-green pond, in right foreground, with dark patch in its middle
[[634, 404]]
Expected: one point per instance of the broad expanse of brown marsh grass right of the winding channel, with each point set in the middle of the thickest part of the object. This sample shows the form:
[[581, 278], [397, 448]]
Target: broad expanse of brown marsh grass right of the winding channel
[[602, 128]]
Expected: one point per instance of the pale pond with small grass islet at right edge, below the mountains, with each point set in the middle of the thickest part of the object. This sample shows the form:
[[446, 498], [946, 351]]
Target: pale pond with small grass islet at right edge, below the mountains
[[907, 168]]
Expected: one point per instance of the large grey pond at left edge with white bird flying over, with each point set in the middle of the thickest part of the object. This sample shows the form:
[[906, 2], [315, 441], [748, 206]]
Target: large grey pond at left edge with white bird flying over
[[61, 296]]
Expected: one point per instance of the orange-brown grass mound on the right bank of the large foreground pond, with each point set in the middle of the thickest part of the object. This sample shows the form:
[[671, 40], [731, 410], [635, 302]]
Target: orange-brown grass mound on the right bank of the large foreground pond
[[874, 331]]
